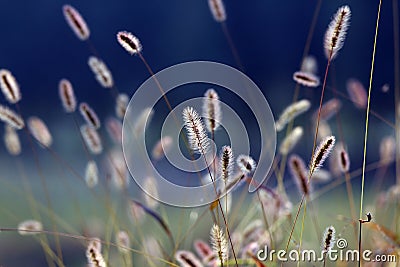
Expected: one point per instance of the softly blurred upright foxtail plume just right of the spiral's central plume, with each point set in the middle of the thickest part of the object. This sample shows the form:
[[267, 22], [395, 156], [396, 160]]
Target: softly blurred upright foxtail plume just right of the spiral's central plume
[[211, 110]]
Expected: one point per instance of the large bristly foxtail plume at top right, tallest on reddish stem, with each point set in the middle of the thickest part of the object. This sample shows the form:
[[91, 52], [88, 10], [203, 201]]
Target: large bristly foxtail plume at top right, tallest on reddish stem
[[336, 33]]
